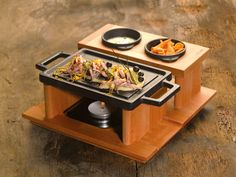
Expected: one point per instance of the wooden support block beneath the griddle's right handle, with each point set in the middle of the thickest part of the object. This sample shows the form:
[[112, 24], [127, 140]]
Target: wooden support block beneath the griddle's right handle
[[136, 123]]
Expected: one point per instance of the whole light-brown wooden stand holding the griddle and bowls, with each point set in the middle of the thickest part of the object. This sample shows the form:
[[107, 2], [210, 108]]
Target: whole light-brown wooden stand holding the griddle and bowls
[[146, 129]]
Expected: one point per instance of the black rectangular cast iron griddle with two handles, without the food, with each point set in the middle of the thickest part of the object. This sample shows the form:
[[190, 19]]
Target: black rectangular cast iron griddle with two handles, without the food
[[155, 79]]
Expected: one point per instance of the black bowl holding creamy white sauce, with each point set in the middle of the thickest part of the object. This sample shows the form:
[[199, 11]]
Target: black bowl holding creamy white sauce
[[121, 32]]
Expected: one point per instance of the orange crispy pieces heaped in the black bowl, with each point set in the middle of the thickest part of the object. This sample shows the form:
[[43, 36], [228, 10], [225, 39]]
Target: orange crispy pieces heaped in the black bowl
[[167, 47]]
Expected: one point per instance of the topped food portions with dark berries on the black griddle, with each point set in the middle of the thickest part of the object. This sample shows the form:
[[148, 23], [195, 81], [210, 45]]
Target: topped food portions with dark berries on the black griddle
[[105, 75]]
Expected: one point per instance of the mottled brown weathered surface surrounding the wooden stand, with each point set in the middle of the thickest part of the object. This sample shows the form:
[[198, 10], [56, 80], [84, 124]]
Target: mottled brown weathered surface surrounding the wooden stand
[[33, 30]]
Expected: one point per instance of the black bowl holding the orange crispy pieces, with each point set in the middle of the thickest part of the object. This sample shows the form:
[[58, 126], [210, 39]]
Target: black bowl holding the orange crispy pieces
[[166, 58]]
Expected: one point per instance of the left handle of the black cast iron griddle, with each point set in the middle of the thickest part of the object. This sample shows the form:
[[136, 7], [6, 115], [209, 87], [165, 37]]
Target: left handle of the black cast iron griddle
[[42, 66]]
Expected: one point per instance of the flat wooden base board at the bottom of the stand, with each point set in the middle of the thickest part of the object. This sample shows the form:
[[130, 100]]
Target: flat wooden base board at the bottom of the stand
[[141, 150]]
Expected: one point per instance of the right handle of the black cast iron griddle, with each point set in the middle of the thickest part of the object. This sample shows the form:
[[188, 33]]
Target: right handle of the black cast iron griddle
[[173, 89]]
